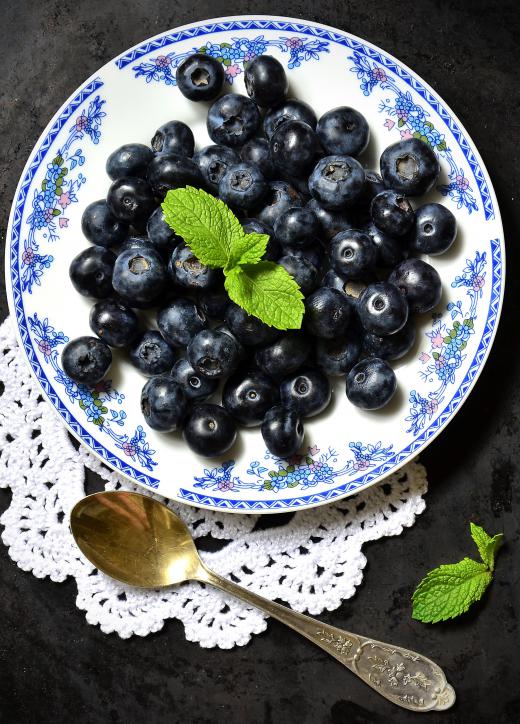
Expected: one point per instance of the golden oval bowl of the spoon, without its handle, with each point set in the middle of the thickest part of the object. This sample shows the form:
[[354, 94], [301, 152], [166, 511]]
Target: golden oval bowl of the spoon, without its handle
[[135, 539]]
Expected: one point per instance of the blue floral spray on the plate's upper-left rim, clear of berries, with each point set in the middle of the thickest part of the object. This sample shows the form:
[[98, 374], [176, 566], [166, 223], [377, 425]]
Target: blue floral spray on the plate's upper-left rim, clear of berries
[[57, 191]]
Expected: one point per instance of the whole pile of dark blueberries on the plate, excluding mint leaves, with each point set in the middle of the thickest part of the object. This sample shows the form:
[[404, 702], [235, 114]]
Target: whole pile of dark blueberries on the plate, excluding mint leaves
[[346, 234]]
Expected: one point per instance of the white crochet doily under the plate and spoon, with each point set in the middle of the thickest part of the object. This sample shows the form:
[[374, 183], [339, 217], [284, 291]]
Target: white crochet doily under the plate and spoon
[[312, 563]]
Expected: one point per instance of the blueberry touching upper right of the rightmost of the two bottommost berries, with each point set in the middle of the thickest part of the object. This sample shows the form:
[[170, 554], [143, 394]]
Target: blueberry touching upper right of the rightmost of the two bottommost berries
[[308, 392]]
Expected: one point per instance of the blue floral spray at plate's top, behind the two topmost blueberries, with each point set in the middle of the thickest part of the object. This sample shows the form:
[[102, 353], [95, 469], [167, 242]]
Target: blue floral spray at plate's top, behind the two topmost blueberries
[[233, 56]]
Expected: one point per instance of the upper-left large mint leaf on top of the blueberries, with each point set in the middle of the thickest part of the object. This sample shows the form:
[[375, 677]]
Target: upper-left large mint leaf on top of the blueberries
[[205, 223]]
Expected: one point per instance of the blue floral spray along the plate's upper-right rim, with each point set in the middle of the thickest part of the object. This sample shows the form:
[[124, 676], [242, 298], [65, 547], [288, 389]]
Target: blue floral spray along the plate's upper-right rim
[[412, 121]]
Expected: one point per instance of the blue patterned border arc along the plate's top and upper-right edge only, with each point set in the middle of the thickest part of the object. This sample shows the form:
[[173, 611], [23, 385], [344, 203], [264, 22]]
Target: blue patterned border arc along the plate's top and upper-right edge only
[[340, 39]]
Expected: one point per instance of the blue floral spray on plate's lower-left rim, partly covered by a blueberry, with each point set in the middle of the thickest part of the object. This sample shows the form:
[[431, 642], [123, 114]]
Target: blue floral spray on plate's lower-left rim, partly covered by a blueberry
[[94, 402]]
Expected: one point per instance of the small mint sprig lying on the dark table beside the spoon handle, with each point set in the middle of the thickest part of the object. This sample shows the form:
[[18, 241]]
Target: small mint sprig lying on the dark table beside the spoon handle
[[448, 591]]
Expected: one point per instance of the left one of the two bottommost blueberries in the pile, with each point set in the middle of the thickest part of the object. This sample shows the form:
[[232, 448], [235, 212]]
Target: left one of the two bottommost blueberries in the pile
[[210, 430]]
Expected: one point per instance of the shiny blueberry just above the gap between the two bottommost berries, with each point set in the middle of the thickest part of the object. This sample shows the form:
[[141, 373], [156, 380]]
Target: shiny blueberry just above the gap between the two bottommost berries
[[247, 396]]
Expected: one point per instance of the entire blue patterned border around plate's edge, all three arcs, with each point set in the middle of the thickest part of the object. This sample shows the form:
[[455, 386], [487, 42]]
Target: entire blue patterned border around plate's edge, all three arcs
[[187, 495]]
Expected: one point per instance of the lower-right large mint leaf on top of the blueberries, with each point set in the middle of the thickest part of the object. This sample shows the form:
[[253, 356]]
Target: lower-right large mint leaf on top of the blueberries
[[265, 290]]
